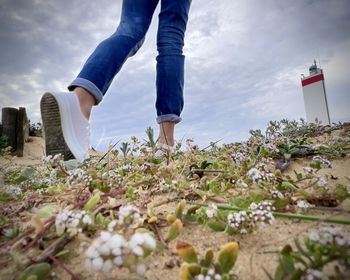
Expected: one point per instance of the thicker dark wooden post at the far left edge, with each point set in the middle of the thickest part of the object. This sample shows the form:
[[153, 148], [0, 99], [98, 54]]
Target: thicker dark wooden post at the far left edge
[[9, 124]]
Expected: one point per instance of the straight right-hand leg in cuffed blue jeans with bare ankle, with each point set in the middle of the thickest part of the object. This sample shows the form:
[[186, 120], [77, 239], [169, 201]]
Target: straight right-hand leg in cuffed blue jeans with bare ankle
[[170, 66]]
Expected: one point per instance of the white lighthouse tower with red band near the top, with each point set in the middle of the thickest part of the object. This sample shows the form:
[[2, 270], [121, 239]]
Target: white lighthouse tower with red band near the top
[[315, 99]]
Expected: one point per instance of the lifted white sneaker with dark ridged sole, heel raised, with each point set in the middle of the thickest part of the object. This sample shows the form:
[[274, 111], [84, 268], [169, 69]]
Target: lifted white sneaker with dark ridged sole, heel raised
[[66, 130]]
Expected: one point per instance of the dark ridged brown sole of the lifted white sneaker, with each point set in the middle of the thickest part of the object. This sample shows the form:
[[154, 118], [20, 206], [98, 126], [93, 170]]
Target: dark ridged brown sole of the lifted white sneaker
[[53, 134]]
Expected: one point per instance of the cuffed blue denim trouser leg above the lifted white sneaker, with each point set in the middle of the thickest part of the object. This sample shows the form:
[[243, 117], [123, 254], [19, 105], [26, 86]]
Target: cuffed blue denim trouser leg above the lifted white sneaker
[[109, 56]]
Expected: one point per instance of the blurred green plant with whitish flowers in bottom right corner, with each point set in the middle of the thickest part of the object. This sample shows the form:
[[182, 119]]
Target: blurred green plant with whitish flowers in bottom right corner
[[321, 247]]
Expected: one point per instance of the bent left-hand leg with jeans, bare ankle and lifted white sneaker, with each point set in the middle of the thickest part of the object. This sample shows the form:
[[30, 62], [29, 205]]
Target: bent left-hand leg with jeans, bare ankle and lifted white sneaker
[[65, 116]]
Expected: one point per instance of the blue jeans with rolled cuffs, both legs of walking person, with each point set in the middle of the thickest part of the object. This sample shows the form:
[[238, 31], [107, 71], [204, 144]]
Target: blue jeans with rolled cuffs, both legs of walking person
[[109, 56]]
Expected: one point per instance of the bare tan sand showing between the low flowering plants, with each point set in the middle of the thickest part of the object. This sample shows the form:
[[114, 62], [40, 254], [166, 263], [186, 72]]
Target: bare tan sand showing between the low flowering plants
[[258, 250]]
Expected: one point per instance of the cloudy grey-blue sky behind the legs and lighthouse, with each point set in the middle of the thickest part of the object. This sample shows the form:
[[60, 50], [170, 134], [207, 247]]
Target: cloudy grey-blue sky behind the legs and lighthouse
[[243, 63]]
